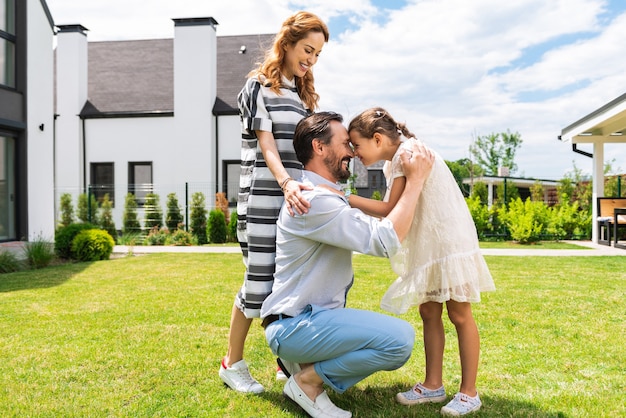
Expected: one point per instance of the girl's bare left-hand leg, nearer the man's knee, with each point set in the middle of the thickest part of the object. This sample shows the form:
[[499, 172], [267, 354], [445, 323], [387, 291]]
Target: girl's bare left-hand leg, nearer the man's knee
[[434, 343]]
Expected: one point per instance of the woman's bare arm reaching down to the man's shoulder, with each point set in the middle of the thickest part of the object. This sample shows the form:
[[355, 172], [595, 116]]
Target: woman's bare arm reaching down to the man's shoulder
[[291, 188]]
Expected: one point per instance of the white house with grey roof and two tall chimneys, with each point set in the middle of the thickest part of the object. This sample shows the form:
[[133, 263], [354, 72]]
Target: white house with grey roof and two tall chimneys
[[156, 115]]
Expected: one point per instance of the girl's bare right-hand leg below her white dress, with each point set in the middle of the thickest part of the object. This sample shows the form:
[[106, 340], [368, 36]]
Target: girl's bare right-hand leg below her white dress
[[460, 313]]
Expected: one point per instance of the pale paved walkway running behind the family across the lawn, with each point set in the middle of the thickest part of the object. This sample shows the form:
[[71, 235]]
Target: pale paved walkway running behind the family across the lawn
[[591, 249]]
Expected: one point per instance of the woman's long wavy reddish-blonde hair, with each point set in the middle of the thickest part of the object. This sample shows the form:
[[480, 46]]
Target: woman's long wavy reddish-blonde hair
[[294, 29]]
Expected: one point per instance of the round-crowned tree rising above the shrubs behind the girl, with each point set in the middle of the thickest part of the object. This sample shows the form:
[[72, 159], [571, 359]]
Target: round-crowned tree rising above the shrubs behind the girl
[[496, 150]]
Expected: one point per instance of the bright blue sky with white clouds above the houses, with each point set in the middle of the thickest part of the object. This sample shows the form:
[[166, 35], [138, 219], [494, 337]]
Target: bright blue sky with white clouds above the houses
[[452, 70]]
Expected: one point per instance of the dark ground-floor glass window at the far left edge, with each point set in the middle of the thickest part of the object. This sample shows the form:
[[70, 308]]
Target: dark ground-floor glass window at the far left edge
[[7, 188]]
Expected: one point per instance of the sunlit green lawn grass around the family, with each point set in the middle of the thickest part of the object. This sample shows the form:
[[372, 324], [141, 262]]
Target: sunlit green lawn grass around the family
[[143, 336]]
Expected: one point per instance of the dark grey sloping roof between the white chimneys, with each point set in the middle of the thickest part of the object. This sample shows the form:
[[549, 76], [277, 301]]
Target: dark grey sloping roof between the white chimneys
[[137, 77]]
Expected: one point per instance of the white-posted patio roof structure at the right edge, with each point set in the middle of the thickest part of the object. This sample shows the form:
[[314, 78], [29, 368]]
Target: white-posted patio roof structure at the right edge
[[603, 126]]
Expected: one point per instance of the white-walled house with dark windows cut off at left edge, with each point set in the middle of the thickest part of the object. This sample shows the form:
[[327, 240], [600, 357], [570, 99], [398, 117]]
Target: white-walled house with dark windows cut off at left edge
[[26, 121]]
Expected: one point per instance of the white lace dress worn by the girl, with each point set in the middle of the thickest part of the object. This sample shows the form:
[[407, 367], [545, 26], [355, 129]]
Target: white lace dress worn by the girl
[[440, 258]]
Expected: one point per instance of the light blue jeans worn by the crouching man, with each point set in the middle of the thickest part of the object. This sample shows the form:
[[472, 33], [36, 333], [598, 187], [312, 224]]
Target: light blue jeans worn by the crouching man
[[345, 345]]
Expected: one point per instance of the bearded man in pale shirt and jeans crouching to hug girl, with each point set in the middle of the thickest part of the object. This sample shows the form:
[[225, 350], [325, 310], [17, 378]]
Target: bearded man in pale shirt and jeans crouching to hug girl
[[317, 339]]
